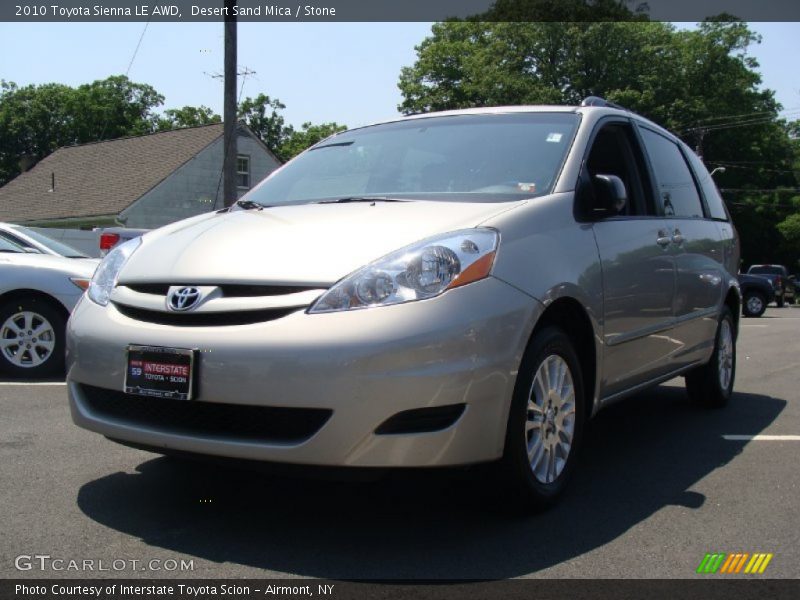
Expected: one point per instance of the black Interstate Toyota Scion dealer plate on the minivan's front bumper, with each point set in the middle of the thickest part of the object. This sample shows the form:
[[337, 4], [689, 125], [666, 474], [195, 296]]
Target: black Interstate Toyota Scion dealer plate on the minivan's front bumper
[[160, 372]]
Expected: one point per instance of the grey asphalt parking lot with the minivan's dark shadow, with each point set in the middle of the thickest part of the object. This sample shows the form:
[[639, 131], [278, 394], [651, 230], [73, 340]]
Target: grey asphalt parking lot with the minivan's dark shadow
[[661, 483]]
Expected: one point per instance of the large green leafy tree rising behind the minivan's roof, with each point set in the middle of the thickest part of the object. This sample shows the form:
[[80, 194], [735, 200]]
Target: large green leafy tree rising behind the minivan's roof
[[701, 84]]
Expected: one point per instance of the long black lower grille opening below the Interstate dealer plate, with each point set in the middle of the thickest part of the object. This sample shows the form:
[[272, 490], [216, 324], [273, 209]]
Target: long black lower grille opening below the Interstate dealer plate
[[208, 419]]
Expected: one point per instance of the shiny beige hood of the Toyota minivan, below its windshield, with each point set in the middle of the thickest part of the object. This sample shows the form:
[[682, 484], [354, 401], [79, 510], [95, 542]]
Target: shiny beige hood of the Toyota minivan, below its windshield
[[309, 244]]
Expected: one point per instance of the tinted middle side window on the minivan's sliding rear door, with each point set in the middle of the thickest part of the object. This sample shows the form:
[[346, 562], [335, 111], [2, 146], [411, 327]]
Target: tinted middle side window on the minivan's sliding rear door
[[676, 185]]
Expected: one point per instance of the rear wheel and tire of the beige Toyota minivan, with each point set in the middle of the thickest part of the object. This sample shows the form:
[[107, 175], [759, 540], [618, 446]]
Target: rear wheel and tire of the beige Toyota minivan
[[711, 385]]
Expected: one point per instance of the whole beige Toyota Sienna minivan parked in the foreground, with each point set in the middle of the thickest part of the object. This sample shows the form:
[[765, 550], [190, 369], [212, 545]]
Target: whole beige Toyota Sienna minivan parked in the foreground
[[444, 289]]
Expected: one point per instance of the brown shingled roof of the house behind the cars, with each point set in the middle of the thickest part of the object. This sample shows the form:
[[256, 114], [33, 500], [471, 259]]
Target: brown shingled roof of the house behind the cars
[[101, 178]]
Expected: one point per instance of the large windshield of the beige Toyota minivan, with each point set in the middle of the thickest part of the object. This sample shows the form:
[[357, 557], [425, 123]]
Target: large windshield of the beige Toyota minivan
[[464, 158]]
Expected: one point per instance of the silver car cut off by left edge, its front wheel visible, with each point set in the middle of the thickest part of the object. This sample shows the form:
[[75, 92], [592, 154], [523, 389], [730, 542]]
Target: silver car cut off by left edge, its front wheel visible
[[37, 293]]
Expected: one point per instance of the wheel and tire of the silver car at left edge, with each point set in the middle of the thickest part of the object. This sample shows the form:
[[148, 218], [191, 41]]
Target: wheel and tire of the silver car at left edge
[[32, 333]]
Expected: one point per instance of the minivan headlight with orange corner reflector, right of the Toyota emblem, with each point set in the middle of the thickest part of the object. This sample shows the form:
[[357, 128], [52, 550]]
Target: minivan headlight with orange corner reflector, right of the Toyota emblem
[[419, 271]]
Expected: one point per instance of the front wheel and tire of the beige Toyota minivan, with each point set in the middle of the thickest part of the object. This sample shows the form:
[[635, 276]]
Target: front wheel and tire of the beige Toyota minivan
[[548, 426]]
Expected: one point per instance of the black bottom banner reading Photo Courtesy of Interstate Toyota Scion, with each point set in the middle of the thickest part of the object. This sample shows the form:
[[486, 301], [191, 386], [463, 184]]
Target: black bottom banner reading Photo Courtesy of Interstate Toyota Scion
[[528, 589]]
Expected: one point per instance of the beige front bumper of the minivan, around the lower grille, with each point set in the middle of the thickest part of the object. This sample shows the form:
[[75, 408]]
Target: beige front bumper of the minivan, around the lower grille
[[365, 366]]
